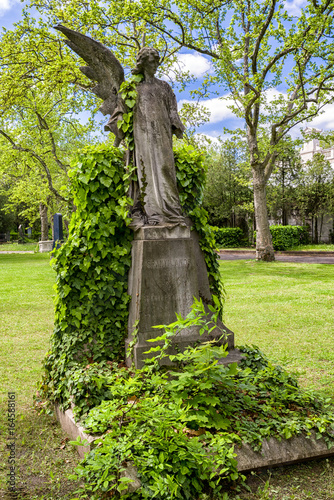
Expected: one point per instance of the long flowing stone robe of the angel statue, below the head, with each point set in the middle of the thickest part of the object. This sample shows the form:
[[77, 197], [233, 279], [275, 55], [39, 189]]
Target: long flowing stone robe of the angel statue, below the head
[[155, 120]]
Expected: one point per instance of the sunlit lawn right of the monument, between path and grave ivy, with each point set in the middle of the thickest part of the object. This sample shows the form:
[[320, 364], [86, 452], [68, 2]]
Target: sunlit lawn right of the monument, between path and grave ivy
[[287, 309]]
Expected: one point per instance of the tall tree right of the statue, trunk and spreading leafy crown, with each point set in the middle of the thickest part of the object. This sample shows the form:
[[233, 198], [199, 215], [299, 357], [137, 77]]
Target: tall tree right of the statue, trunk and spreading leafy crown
[[255, 47]]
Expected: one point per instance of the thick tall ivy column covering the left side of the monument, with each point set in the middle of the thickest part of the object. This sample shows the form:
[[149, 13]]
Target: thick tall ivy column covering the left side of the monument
[[91, 303]]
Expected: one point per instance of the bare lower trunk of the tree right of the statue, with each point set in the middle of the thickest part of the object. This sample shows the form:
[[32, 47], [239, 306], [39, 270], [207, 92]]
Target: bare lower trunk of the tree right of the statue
[[264, 245]]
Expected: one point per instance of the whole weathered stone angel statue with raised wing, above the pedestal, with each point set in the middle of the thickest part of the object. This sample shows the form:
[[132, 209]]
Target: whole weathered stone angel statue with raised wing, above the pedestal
[[155, 120]]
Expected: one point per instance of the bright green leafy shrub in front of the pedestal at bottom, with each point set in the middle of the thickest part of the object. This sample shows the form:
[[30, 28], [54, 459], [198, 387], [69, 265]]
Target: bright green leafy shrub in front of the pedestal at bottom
[[154, 422]]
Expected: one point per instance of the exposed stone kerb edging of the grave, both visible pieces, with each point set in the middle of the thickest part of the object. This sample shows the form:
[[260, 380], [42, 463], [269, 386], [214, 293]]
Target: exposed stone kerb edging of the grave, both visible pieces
[[274, 452]]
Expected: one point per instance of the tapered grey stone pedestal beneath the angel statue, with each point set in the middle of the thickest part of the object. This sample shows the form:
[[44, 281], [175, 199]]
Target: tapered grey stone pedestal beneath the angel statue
[[166, 274]]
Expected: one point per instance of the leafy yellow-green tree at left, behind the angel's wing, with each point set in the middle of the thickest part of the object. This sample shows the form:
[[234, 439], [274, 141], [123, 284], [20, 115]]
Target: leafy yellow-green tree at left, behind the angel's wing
[[39, 124]]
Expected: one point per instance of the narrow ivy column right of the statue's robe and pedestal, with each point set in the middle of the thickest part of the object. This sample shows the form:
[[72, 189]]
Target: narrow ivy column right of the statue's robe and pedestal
[[190, 174]]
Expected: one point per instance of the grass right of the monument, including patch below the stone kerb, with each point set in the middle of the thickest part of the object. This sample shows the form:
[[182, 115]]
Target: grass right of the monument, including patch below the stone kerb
[[287, 309]]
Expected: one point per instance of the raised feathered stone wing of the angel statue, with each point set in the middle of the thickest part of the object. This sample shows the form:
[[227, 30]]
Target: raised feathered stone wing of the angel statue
[[103, 67]]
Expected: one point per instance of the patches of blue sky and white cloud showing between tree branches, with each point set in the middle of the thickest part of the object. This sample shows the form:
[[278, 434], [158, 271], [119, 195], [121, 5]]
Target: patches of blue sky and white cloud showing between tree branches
[[221, 115]]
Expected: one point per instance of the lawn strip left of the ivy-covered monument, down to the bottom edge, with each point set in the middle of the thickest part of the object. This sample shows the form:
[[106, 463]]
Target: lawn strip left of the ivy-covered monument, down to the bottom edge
[[26, 323]]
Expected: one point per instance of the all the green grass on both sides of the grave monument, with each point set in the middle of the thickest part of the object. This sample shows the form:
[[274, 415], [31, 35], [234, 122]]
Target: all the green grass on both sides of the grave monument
[[286, 309]]
